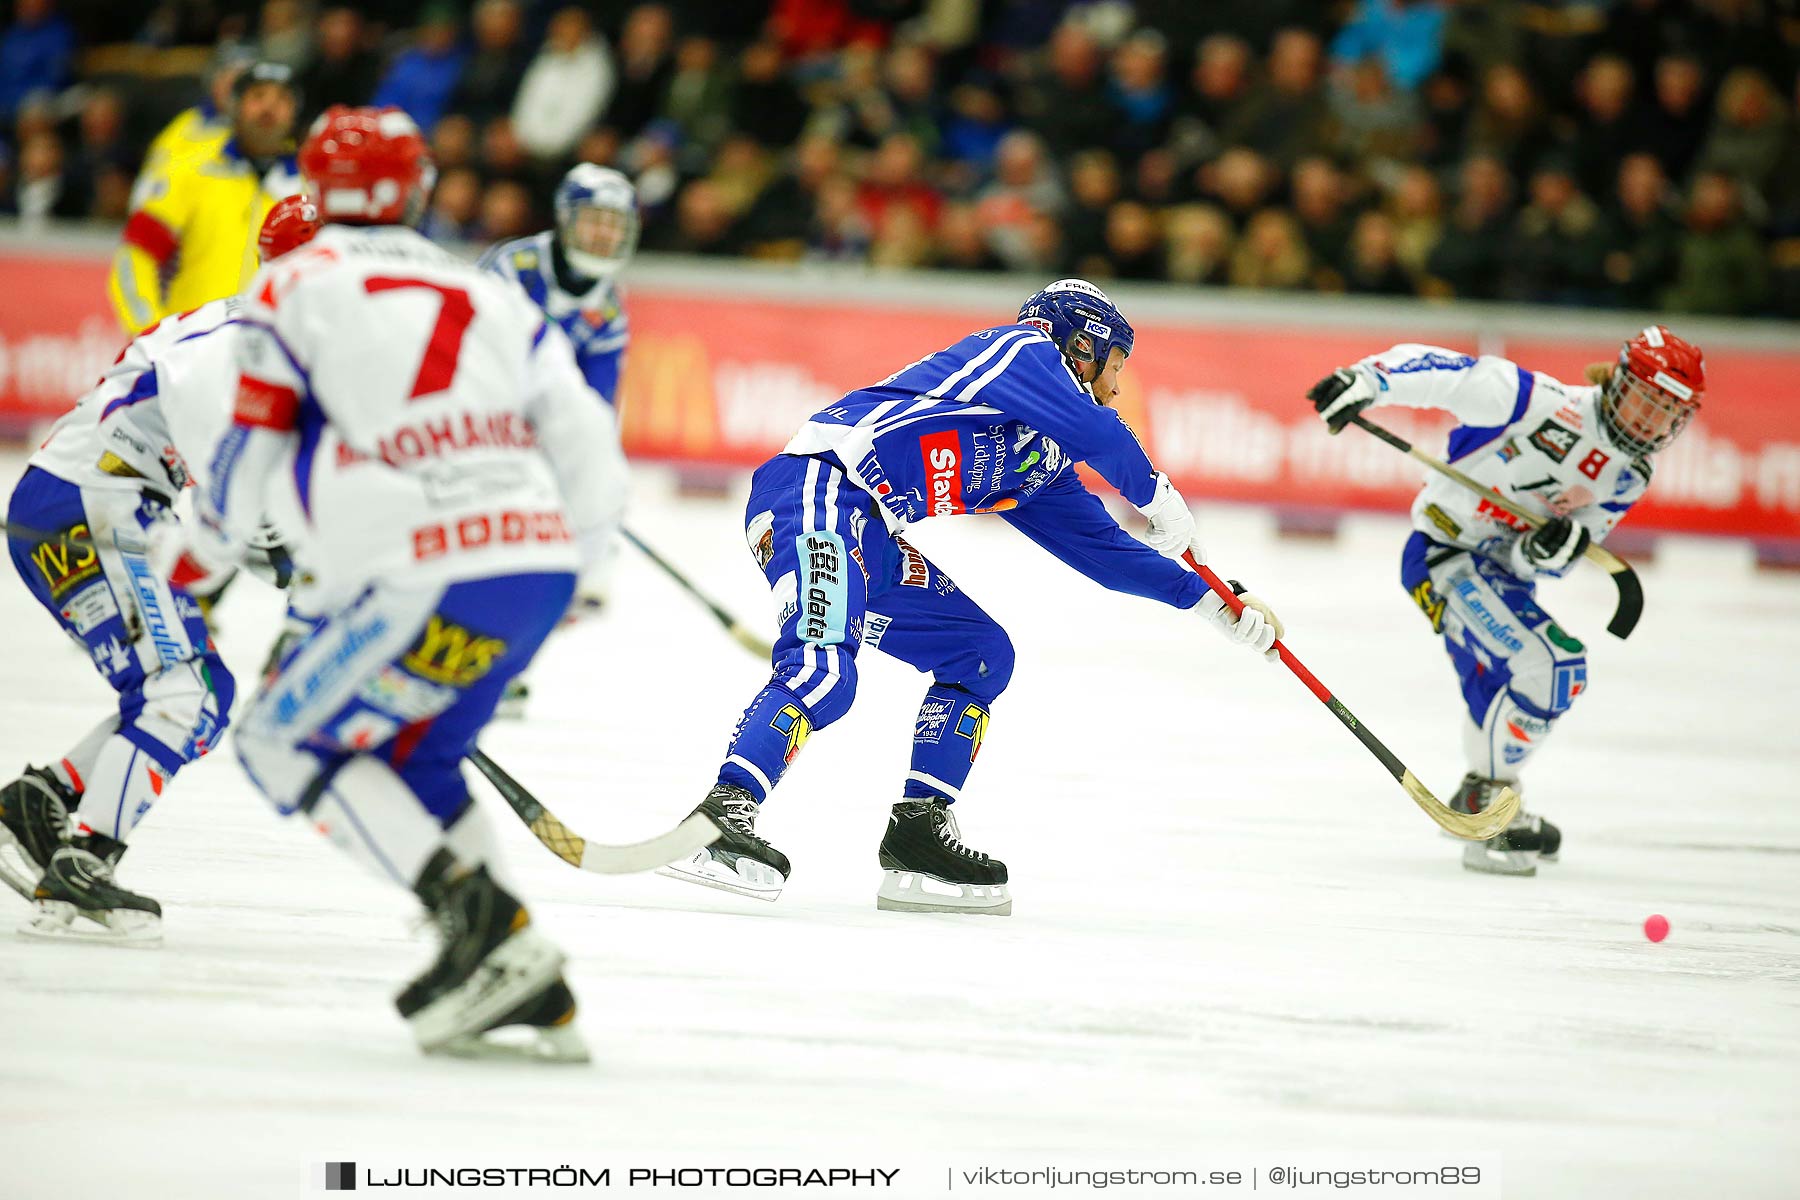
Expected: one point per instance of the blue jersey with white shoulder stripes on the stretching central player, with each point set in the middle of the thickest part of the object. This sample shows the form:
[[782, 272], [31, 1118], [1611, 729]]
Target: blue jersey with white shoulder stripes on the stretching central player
[[994, 425]]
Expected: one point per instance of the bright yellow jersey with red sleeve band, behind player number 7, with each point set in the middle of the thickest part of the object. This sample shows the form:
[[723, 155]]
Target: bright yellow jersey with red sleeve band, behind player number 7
[[192, 235]]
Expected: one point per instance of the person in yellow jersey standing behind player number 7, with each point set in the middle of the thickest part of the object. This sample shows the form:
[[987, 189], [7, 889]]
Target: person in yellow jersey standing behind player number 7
[[193, 226]]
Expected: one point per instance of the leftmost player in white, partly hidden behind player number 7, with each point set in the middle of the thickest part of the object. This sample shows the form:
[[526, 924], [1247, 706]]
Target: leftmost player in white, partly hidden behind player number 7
[[80, 526]]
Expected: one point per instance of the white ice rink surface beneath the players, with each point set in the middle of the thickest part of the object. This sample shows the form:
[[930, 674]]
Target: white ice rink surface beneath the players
[[1232, 931]]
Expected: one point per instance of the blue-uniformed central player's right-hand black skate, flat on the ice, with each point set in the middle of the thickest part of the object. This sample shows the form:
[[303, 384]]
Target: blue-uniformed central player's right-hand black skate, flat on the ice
[[930, 870]]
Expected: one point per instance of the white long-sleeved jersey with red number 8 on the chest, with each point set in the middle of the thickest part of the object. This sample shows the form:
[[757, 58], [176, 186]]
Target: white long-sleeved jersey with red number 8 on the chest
[[1533, 440]]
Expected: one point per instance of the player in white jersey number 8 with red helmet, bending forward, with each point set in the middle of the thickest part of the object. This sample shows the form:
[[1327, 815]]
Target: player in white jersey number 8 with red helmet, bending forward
[[1578, 456]]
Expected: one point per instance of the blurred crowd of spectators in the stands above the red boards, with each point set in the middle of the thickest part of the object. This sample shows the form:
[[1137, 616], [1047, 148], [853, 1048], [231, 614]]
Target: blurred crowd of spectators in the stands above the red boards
[[1635, 154]]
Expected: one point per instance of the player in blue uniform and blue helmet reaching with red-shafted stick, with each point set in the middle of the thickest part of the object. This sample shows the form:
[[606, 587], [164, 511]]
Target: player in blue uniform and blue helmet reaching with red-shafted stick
[[994, 424]]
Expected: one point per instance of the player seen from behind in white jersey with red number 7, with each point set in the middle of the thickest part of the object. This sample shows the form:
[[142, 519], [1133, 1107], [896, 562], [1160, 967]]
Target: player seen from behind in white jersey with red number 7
[[444, 469]]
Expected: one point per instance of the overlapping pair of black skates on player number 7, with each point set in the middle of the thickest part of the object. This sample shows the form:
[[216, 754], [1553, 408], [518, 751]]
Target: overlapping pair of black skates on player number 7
[[496, 989]]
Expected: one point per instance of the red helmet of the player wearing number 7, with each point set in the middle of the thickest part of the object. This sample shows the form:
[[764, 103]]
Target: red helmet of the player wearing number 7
[[368, 166]]
